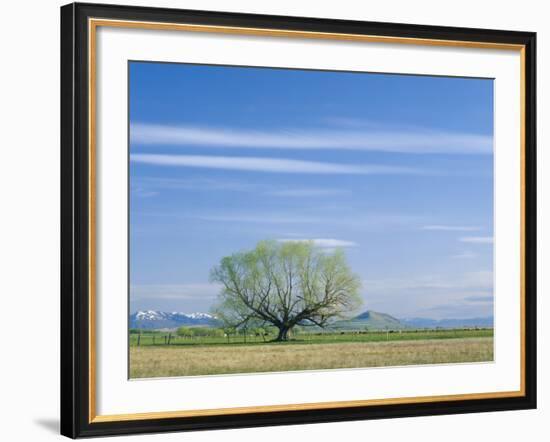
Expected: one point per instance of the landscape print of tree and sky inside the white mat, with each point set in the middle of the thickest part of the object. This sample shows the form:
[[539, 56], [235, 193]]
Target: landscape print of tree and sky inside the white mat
[[289, 219]]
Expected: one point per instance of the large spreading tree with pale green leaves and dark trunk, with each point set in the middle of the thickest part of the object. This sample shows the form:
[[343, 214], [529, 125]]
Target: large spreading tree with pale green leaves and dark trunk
[[285, 284]]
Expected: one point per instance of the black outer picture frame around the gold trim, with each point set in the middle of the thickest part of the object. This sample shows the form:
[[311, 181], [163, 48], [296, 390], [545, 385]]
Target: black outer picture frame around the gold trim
[[75, 221]]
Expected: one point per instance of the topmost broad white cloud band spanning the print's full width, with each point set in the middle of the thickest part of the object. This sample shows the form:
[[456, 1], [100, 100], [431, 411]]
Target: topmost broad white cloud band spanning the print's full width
[[416, 141]]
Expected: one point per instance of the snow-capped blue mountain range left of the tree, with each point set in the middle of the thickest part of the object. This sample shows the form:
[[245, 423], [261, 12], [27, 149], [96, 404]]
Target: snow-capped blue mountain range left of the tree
[[157, 319]]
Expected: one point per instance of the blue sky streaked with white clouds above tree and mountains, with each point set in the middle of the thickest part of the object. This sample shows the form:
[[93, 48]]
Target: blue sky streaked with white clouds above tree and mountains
[[397, 170]]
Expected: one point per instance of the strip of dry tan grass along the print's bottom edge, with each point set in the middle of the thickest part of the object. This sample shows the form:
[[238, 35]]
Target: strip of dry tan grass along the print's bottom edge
[[166, 361]]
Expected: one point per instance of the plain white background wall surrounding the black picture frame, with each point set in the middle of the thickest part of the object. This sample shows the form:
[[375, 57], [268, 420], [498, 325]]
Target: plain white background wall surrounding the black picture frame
[[29, 219]]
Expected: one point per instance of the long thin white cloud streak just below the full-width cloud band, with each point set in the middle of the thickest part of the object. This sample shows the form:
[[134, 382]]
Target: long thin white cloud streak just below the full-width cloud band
[[272, 165]]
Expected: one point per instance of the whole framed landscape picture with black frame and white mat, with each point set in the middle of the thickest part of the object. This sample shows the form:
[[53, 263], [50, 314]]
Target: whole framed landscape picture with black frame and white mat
[[274, 220]]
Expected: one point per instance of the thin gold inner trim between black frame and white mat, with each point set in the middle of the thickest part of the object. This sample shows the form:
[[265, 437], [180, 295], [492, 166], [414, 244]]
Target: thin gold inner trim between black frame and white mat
[[93, 24]]
